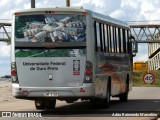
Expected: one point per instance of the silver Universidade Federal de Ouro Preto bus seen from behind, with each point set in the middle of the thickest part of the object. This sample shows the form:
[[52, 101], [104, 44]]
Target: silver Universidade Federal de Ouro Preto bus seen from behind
[[69, 54]]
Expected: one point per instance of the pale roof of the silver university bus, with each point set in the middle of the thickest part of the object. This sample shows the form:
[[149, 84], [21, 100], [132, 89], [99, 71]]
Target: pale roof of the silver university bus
[[95, 15]]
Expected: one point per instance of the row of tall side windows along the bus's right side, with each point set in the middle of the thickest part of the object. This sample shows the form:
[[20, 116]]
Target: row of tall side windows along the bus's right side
[[110, 39]]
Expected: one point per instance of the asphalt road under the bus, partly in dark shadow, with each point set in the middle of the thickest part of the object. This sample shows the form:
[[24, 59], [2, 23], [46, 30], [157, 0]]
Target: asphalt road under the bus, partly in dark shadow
[[141, 100]]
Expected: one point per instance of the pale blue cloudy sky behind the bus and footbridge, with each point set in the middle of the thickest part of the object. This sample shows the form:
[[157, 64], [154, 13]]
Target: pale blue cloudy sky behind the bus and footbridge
[[125, 10]]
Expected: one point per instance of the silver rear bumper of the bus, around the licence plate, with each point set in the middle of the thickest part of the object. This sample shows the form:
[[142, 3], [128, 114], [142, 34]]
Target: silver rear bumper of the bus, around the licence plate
[[86, 90]]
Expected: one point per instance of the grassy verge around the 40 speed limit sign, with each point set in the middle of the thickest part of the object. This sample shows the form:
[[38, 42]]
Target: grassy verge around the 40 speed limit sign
[[138, 79]]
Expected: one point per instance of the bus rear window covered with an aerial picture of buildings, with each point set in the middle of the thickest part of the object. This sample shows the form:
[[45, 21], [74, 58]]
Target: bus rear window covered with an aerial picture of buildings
[[50, 28]]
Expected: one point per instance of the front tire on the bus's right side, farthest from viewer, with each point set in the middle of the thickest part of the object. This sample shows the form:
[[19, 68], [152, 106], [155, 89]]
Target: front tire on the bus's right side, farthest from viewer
[[124, 96]]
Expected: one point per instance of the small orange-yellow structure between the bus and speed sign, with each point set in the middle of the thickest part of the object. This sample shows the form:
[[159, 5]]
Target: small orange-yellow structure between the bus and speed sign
[[140, 65]]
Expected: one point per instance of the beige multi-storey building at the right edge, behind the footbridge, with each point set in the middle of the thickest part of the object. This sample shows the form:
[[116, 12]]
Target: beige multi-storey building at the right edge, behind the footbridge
[[154, 54]]
